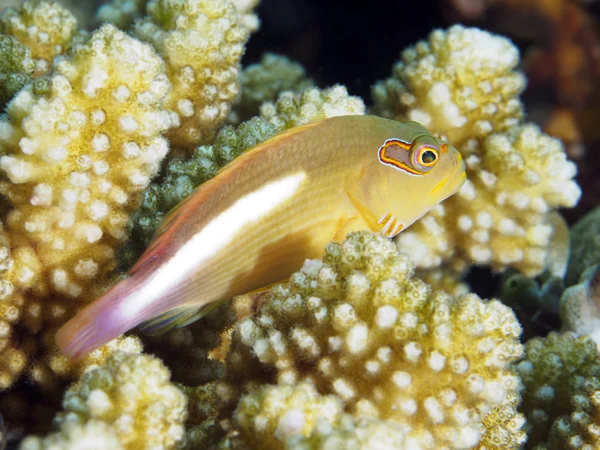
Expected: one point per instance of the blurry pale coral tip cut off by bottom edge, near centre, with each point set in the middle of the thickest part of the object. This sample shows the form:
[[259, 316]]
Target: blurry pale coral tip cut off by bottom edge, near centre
[[352, 434]]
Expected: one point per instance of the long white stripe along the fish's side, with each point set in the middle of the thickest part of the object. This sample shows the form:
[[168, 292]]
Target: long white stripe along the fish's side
[[212, 238]]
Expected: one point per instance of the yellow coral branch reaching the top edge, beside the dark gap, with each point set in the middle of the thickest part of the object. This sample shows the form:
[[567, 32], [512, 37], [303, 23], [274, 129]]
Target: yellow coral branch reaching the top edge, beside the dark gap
[[202, 42]]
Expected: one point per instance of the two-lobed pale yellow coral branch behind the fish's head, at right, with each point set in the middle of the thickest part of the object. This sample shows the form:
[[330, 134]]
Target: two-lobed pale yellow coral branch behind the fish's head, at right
[[462, 84]]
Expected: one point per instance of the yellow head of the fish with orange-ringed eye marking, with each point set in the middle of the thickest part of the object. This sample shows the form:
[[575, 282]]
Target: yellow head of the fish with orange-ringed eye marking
[[415, 171]]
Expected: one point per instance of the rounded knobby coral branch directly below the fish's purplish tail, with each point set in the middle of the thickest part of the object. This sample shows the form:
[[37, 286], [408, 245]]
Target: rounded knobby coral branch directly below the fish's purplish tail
[[131, 393]]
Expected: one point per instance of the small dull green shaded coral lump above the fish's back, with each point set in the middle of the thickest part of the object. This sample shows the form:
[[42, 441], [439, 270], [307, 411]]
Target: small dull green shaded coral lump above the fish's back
[[264, 81]]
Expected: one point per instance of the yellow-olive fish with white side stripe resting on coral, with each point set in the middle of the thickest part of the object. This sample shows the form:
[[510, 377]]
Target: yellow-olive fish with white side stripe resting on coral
[[265, 213]]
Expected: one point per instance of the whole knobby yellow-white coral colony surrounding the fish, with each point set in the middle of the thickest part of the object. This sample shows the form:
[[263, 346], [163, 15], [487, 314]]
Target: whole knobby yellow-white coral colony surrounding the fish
[[378, 344]]
